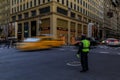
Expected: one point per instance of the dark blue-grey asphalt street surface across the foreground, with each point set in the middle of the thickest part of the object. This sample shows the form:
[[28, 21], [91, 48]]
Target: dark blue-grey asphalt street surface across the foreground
[[52, 64]]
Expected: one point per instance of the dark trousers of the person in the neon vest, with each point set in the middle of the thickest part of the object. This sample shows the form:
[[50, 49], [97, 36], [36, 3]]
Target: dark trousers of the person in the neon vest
[[84, 60]]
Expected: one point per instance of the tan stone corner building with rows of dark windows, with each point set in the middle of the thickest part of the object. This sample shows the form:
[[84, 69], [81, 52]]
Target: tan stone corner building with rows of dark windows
[[68, 18]]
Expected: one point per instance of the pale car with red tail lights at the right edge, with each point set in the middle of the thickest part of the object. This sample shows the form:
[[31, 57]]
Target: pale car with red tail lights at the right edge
[[111, 42]]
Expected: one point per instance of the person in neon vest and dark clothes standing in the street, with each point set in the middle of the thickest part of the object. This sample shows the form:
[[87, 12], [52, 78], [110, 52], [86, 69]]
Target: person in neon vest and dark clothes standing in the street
[[82, 53]]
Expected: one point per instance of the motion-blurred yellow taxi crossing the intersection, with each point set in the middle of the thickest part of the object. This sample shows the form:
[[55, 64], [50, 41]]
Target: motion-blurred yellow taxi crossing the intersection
[[40, 42]]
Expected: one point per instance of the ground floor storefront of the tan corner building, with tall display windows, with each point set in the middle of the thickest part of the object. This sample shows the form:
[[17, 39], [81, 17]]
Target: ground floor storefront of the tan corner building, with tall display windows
[[57, 25]]
